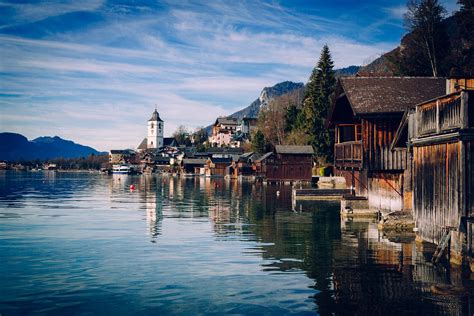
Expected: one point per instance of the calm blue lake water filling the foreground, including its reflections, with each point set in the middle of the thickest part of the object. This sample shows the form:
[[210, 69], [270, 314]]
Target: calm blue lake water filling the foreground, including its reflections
[[78, 243]]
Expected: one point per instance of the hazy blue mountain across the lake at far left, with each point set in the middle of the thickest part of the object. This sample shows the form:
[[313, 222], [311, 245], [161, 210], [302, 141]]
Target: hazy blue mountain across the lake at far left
[[16, 147]]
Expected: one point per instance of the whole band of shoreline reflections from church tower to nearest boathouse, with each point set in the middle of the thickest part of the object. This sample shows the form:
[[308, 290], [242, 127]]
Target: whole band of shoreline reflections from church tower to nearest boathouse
[[355, 271]]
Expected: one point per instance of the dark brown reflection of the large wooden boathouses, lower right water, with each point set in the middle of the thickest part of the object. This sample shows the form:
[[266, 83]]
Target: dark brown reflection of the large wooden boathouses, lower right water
[[387, 277]]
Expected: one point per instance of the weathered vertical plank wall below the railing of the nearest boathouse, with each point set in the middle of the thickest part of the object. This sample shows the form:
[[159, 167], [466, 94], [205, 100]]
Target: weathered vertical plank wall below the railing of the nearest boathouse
[[437, 200]]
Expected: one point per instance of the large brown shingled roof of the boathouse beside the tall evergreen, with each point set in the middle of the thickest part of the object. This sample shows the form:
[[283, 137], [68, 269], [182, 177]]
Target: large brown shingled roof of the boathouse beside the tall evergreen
[[369, 95]]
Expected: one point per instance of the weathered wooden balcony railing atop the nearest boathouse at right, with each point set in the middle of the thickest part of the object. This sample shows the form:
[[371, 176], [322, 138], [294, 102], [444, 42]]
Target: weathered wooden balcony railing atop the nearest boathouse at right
[[443, 114]]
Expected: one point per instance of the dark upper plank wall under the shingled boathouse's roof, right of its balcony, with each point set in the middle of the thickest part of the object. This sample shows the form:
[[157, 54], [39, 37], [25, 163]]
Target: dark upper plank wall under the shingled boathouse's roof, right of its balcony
[[377, 136]]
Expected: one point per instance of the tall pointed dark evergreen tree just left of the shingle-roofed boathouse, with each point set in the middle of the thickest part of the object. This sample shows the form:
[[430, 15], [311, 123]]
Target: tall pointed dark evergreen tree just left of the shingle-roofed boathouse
[[316, 103]]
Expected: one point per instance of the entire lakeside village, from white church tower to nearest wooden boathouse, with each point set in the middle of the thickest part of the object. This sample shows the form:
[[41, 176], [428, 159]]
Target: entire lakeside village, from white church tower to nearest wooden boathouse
[[403, 151]]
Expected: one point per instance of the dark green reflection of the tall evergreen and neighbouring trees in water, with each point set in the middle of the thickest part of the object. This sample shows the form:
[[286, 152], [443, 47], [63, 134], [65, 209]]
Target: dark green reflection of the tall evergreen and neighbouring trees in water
[[305, 236]]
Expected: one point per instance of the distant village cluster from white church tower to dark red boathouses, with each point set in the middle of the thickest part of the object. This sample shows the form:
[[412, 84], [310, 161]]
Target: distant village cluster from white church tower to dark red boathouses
[[225, 158]]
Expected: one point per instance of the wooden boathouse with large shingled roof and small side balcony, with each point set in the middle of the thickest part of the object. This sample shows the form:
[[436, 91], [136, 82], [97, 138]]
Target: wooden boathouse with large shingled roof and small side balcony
[[365, 115]]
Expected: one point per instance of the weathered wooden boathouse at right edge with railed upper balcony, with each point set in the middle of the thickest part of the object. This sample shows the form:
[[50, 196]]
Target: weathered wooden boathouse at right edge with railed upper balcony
[[439, 134]]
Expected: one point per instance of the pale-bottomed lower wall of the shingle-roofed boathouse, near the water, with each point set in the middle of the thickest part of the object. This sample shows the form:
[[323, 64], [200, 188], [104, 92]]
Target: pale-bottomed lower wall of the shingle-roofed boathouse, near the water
[[386, 191]]
